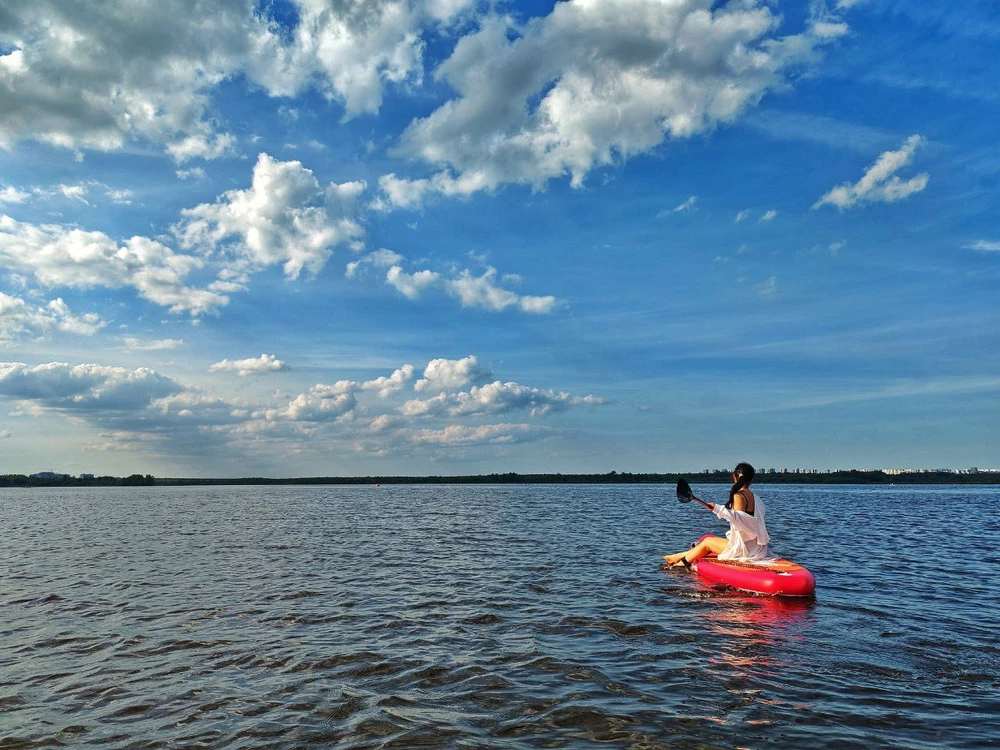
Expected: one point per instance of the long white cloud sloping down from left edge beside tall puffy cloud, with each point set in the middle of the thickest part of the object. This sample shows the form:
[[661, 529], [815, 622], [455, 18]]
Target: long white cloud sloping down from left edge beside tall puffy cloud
[[71, 257]]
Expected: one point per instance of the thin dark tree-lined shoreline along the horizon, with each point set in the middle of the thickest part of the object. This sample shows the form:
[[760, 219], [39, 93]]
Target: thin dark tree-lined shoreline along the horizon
[[614, 477]]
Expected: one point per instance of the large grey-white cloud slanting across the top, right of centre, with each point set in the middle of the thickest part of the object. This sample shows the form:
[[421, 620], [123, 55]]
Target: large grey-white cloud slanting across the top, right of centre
[[592, 83]]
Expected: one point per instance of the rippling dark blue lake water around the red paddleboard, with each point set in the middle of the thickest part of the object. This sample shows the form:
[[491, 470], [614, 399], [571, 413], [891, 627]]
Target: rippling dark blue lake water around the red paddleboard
[[491, 617]]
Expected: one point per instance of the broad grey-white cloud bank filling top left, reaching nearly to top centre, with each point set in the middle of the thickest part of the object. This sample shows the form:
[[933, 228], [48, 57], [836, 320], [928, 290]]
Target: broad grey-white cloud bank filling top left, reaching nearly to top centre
[[91, 76]]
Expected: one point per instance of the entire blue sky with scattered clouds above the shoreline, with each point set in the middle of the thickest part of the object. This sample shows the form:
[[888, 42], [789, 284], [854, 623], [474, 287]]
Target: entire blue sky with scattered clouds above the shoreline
[[310, 237]]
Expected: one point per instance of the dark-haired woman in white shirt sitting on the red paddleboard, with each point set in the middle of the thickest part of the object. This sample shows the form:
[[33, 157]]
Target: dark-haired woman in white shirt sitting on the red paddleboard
[[747, 536]]
